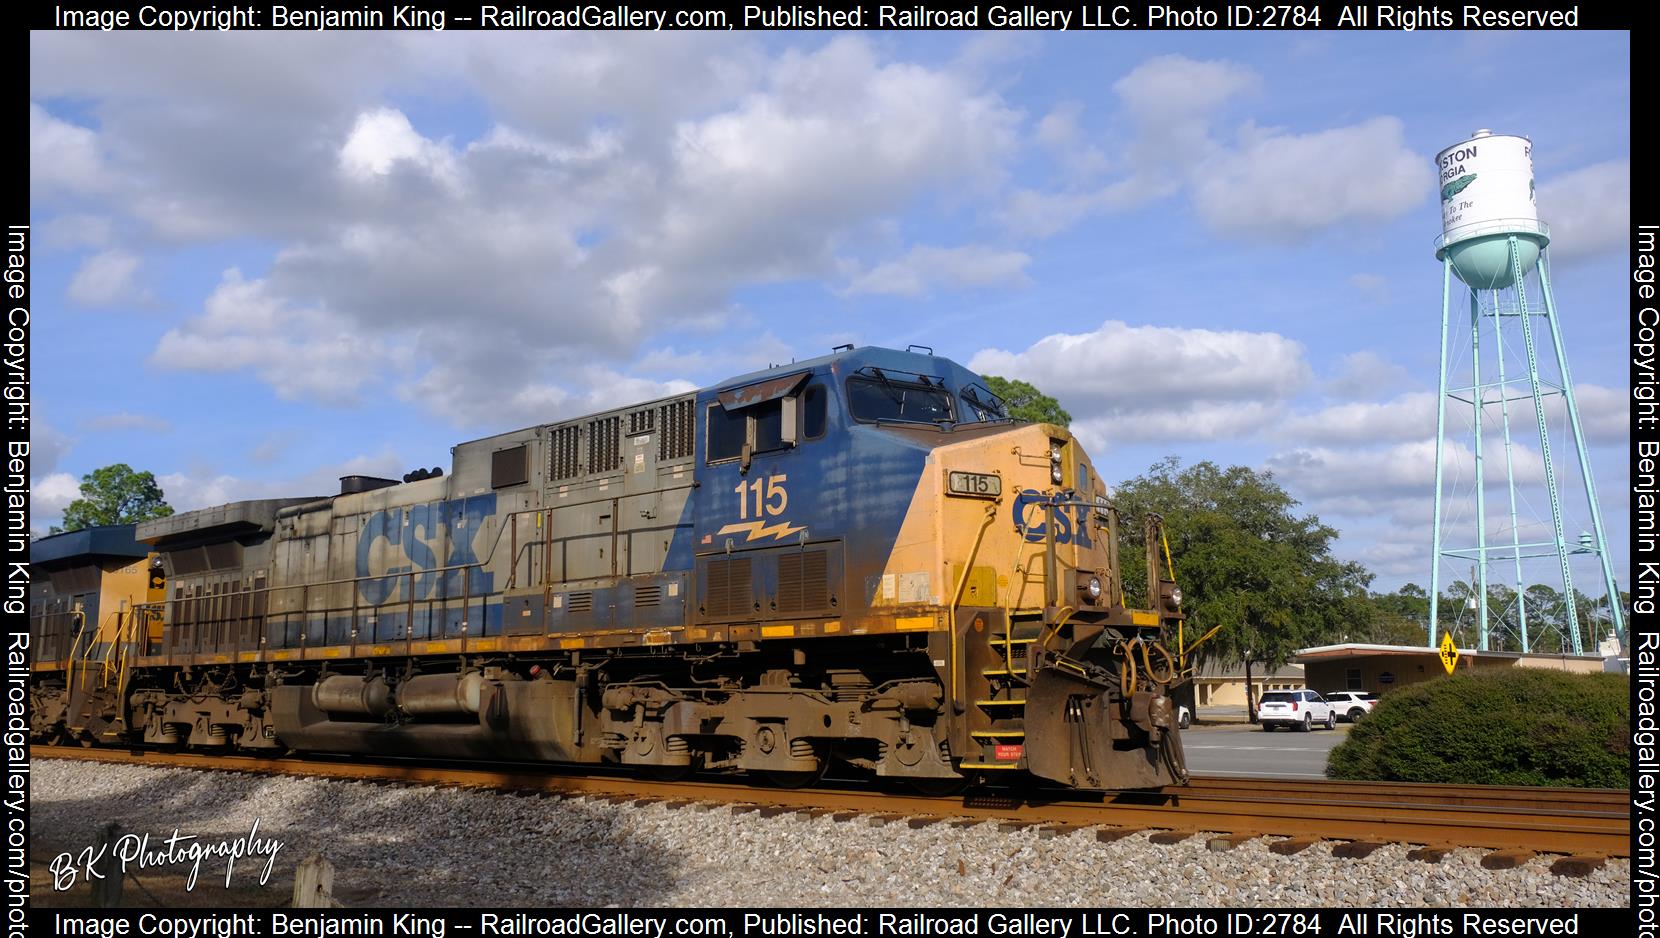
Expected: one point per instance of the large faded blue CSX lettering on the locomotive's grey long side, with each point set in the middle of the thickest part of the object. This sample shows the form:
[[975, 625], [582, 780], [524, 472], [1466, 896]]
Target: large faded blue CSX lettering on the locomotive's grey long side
[[416, 530]]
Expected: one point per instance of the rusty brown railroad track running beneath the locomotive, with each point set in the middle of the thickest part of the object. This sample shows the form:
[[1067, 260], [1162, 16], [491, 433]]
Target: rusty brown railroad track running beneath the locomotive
[[1584, 824]]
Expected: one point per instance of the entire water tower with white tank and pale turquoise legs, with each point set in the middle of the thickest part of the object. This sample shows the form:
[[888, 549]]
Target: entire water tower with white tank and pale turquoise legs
[[1496, 333]]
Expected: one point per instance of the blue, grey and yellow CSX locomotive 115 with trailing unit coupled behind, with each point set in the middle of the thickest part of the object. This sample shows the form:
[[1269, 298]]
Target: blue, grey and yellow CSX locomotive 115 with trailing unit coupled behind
[[854, 560]]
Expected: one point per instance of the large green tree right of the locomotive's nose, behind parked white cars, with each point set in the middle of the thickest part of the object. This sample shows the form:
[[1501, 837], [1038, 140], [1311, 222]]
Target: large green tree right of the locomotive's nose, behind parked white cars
[[1246, 562]]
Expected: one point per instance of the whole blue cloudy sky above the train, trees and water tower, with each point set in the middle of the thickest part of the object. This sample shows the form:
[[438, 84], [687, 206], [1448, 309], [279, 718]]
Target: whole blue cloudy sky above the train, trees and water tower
[[270, 260]]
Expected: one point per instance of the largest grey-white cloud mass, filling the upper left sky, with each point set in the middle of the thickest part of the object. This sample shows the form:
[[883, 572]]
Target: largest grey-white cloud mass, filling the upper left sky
[[570, 232]]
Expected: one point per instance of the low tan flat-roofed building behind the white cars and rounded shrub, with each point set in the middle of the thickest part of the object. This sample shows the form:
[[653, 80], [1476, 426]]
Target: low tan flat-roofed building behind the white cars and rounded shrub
[[1380, 668]]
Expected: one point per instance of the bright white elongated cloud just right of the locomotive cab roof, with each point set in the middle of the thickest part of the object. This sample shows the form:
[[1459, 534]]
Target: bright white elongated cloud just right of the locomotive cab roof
[[1169, 383]]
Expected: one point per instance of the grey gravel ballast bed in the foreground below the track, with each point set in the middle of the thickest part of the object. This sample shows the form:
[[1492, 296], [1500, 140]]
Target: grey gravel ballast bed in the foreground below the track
[[452, 848]]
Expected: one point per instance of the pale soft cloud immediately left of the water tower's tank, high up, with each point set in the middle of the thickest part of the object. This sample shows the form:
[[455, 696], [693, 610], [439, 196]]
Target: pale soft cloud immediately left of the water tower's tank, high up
[[1286, 187]]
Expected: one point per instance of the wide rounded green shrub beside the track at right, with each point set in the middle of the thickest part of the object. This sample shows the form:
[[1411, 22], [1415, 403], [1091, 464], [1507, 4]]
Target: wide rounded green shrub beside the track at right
[[1520, 726]]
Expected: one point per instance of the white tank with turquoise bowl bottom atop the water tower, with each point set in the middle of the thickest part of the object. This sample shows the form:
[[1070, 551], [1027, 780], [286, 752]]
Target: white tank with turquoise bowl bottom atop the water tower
[[1487, 197]]
